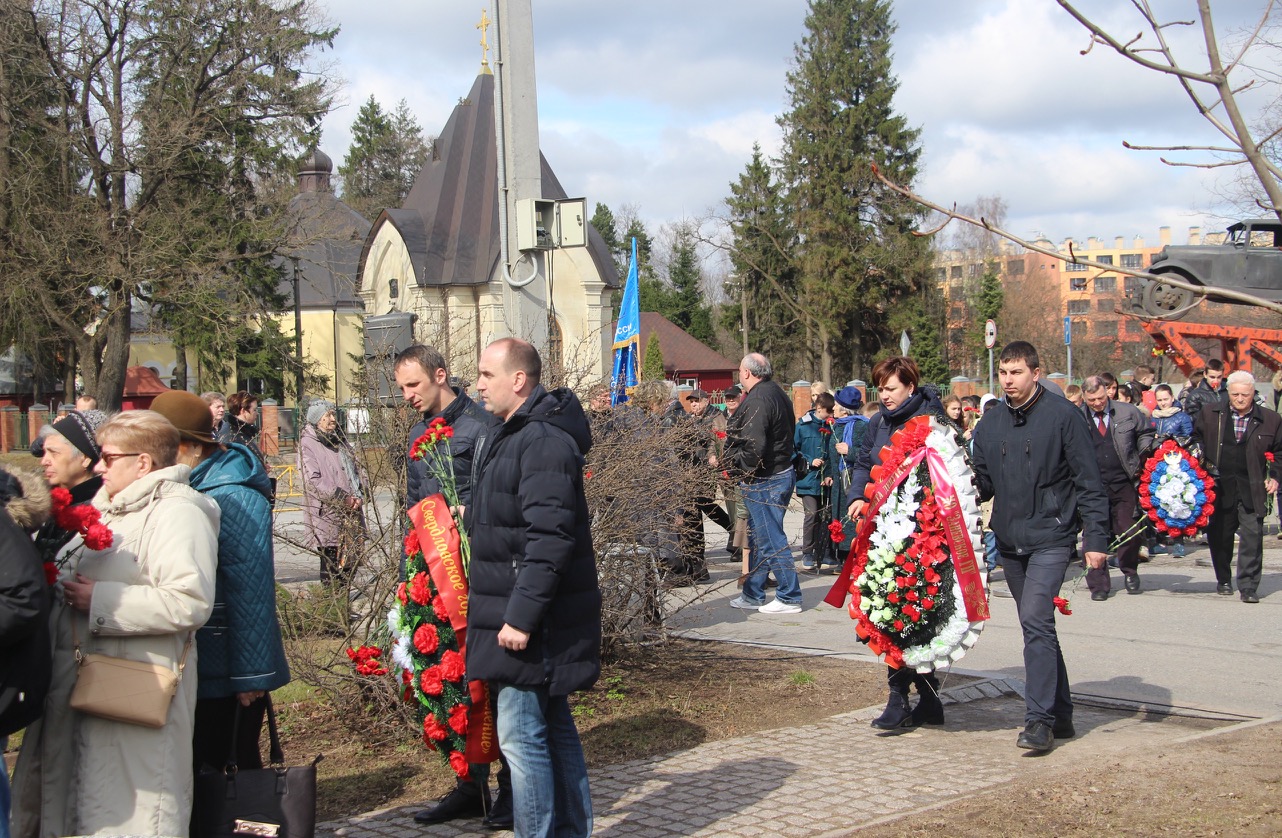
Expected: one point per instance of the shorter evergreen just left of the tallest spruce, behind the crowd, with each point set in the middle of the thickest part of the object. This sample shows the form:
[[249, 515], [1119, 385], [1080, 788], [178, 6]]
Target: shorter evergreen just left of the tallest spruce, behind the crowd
[[763, 285]]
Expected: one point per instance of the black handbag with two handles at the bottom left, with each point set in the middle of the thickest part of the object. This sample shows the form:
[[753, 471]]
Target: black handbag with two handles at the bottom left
[[271, 803]]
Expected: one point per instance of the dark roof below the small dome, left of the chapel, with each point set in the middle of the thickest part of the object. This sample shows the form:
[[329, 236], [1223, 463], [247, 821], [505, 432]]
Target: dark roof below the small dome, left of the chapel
[[331, 238]]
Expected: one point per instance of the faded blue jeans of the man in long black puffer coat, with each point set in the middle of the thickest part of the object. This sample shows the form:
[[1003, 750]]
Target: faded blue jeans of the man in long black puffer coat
[[549, 777]]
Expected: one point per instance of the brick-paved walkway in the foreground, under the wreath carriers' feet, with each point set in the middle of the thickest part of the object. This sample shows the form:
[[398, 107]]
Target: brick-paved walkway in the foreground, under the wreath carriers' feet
[[828, 778]]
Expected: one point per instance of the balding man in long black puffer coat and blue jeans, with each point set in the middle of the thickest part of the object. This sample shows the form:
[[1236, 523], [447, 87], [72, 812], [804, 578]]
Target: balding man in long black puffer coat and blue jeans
[[535, 607]]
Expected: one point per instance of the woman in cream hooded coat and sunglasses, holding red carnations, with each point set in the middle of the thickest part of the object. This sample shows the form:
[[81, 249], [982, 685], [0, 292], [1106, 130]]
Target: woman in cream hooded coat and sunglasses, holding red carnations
[[142, 599]]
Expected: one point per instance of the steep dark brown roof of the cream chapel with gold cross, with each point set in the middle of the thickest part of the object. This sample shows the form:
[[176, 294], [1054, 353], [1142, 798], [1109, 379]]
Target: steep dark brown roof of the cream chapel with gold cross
[[451, 217]]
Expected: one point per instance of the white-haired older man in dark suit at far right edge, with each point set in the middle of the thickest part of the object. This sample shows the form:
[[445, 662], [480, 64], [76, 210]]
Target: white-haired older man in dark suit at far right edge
[[1238, 440]]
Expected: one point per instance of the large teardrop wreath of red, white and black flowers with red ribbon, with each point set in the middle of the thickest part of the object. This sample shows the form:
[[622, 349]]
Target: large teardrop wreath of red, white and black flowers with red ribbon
[[917, 590]]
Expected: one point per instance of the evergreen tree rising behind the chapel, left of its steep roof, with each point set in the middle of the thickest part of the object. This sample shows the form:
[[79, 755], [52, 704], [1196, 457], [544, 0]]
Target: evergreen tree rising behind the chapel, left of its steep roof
[[388, 152]]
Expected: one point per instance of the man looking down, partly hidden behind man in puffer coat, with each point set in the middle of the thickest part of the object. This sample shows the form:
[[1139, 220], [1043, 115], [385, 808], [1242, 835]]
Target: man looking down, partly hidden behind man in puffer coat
[[425, 384]]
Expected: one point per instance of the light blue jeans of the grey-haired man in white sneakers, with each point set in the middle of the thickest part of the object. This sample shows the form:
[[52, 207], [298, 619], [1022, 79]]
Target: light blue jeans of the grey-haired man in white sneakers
[[766, 502]]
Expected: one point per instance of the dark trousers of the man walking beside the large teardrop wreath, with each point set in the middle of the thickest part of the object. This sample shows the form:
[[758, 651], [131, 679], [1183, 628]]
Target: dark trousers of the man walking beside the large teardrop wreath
[[1035, 581]]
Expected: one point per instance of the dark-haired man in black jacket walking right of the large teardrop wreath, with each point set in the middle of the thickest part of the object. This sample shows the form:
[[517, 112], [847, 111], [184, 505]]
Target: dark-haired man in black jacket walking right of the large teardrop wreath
[[1036, 461]]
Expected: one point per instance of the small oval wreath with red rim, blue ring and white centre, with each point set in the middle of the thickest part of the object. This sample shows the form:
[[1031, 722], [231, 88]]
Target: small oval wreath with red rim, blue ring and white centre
[[1176, 493]]
